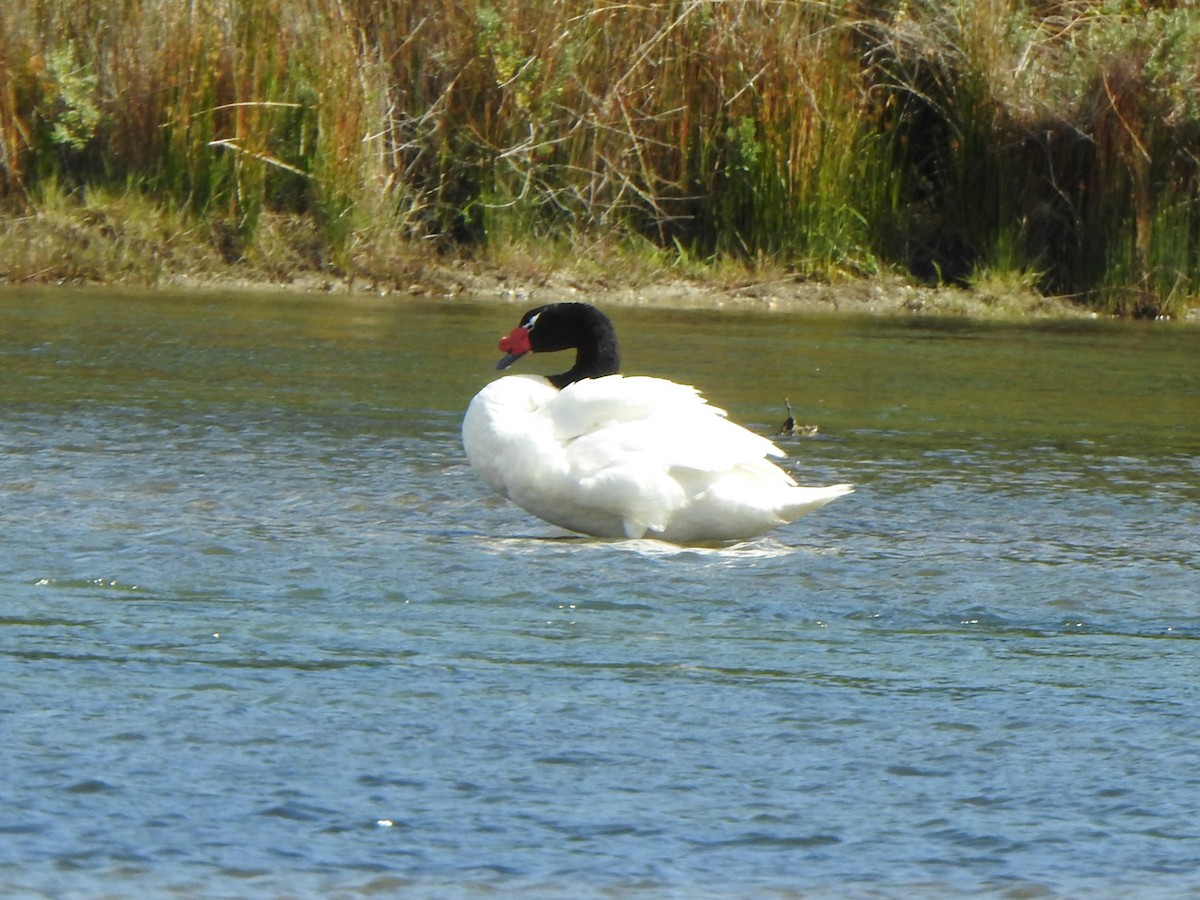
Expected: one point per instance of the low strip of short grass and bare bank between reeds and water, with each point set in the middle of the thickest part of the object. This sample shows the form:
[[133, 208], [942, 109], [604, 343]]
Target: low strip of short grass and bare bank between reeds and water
[[109, 247]]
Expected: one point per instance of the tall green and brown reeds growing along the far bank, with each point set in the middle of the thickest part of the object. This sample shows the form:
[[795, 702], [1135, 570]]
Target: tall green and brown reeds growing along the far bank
[[1055, 143]]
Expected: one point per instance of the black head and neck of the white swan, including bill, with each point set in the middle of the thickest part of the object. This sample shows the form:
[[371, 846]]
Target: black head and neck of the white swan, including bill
[[562, 327]]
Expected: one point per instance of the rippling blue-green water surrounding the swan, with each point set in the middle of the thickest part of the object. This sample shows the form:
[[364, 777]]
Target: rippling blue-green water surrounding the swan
[[263, 634]]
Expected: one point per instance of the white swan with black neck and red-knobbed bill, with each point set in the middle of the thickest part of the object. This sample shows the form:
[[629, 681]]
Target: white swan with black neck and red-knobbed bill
[[622, 457]]
